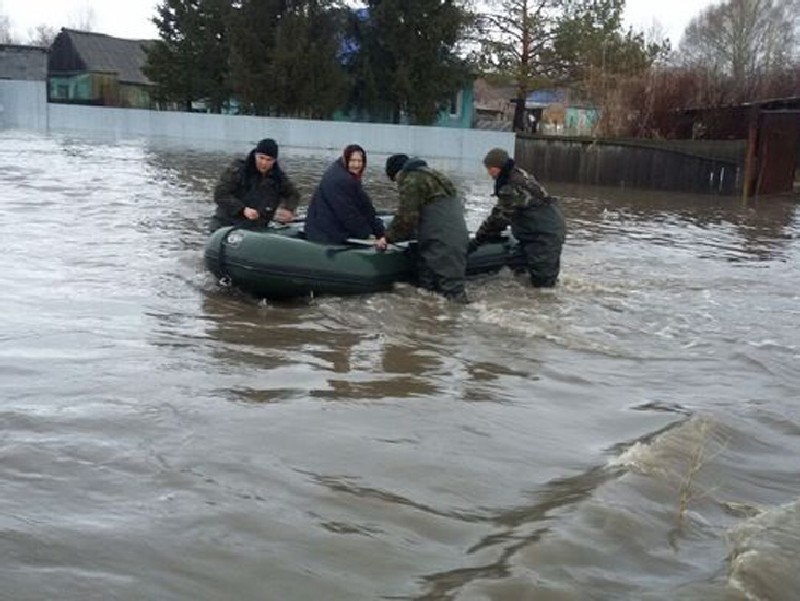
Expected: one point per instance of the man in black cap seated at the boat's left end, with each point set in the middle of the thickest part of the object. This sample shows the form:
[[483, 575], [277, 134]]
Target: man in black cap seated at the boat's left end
[[253, 191]]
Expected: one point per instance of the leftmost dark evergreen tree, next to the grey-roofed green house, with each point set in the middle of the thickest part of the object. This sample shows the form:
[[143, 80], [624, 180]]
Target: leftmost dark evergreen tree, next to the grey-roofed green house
[[190, 60]]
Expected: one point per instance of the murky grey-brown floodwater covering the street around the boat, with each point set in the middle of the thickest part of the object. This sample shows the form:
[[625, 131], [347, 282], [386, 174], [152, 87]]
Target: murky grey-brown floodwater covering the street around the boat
[[633, 434]]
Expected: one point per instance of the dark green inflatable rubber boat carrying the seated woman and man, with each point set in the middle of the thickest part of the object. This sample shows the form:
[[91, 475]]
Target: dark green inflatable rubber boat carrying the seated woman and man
[[279, 263]]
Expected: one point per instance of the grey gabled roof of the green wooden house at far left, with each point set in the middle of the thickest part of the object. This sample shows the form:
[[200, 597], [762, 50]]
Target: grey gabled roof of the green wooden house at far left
[[75, 50]]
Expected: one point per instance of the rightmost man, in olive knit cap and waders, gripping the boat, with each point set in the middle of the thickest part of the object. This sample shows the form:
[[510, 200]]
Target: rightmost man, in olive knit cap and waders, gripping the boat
[[534, 217]]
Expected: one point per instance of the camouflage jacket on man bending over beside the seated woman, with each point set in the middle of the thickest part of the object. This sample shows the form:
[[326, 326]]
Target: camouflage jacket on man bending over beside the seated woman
[[418, 186]]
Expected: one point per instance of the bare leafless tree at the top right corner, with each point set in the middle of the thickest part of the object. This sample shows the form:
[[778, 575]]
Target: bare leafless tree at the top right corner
[[743, 42]]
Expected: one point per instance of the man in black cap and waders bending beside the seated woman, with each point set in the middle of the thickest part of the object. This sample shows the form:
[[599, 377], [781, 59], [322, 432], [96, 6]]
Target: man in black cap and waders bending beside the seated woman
[[430, 207]]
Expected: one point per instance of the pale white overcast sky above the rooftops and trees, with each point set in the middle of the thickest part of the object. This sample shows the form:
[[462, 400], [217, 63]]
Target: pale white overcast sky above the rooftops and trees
[[131, 18]]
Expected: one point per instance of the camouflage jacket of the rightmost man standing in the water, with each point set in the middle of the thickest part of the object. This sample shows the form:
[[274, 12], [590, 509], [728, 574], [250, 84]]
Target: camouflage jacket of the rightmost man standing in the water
[[516, 191]]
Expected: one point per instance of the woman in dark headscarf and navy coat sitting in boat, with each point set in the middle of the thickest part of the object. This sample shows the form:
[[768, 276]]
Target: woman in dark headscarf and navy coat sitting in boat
[[340, 208]]
